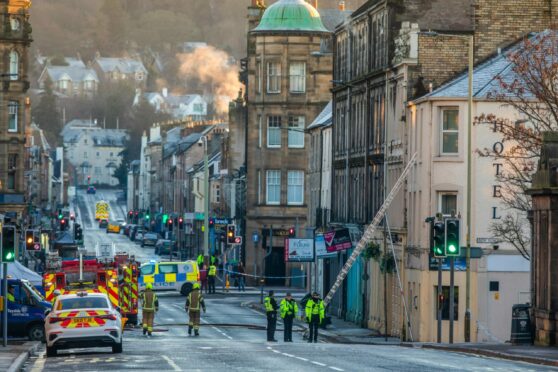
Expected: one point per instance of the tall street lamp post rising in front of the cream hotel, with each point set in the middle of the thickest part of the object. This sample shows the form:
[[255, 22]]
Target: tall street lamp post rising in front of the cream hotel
[[471, 41]]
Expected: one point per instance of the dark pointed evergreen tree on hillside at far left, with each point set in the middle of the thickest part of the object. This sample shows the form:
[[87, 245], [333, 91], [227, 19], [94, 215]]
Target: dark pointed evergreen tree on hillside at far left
[[47, 115]]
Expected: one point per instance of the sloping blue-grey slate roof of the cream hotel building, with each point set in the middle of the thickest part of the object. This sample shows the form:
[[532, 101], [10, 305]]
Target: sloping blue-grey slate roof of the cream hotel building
[[485, 76]]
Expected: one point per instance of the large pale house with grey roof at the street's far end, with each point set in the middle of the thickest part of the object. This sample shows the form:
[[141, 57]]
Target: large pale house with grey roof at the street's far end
[[93, 151]]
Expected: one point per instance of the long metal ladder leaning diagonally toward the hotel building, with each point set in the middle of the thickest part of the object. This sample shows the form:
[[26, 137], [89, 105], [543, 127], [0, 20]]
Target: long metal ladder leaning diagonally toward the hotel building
[[370, 230]]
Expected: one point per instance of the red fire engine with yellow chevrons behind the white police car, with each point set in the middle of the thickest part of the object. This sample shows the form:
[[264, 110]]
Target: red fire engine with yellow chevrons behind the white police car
[[116, 277]]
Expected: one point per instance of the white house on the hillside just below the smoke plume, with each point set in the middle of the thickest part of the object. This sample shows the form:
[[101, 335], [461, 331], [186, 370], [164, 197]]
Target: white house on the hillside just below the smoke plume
[[184, 107]]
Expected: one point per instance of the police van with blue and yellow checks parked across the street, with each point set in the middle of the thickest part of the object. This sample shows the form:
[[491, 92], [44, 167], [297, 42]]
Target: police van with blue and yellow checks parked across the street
[[170, 276]]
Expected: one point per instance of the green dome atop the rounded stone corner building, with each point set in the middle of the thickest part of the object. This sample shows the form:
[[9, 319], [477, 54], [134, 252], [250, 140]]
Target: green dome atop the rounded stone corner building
[[291, 15]]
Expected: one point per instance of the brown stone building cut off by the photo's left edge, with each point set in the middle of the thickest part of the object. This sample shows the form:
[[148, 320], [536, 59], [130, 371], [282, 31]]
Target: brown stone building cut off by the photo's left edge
[[15, 41]]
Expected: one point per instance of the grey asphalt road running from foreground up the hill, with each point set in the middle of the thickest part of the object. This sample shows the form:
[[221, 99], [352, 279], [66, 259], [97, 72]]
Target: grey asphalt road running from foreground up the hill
[[233, 336]]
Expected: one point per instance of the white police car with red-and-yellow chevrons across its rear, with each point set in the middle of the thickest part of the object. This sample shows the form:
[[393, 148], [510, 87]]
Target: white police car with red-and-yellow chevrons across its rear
[[83, 320]]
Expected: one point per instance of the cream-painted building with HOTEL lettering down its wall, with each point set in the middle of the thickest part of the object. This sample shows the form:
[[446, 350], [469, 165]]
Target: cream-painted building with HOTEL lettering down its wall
[[437, 131]]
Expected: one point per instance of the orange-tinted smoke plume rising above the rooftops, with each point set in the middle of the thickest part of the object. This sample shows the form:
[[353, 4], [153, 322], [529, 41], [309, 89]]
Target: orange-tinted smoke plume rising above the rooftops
[[211, 69]]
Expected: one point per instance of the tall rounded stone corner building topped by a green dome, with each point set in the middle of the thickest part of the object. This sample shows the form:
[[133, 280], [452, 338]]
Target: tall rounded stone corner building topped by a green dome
[[288, 85]]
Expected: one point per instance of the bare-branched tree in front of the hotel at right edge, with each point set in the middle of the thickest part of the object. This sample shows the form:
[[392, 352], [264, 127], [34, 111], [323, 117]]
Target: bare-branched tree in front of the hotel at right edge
[[531, 88]]
